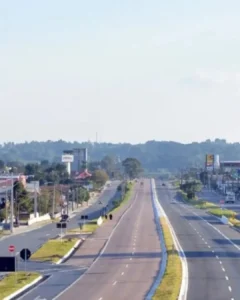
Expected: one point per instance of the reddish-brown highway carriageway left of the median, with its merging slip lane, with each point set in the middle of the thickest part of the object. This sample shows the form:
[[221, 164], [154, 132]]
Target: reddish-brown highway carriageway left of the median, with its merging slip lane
[[127, 265]]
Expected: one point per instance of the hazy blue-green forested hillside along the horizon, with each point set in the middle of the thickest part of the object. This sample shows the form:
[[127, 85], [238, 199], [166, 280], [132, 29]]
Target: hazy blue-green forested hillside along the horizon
[[153, 155]]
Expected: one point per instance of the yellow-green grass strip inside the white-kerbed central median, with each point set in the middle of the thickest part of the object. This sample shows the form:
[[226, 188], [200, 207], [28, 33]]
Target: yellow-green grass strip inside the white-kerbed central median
[[170, 285]]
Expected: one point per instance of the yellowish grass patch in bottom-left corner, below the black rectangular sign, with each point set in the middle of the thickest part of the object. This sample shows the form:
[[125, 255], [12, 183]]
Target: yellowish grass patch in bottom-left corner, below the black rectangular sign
[[15, 281]]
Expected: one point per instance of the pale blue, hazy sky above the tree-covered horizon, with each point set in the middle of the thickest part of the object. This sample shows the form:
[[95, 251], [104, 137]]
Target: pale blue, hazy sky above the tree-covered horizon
[[131, 70]]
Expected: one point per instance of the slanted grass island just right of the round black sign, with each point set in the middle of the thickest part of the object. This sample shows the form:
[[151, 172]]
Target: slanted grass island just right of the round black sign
[[53, 250]]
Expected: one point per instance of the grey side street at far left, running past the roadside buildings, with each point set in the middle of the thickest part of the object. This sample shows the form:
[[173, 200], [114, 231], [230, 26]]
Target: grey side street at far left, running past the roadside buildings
[[35, 238]]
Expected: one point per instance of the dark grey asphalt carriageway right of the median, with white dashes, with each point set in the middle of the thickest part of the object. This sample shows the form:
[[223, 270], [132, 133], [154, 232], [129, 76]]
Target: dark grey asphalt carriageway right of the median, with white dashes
[[213, 260]]
